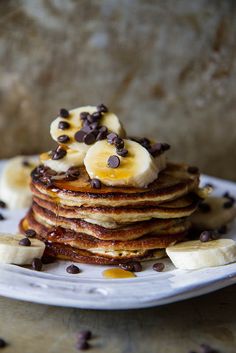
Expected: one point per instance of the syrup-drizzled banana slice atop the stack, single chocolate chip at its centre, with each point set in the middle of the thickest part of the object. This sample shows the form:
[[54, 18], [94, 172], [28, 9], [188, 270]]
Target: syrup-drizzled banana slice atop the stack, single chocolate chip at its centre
[[136, 169]]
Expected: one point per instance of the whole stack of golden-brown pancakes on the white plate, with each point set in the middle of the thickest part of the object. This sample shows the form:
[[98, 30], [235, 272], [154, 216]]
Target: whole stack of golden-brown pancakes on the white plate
[[111, 225]]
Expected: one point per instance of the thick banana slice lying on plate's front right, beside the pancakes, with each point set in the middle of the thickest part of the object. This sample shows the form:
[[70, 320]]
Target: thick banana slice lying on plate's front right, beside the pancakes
[[195, 254]]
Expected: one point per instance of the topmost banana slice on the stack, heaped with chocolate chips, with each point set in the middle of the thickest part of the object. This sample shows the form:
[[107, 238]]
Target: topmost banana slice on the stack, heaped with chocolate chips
[[63, 130]]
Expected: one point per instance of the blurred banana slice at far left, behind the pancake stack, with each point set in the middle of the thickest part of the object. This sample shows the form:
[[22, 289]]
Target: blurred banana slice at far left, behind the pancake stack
[[14, 182]]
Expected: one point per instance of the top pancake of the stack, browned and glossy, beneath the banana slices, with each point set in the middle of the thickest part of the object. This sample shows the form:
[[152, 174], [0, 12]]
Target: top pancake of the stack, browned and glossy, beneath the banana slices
[[171, 183]]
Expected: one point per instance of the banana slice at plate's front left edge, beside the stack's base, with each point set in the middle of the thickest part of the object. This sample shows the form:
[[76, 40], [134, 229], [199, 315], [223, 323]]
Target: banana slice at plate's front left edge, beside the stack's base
[[13, 253]]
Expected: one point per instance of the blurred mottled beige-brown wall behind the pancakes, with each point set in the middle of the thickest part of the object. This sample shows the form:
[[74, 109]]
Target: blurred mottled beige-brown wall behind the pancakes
[[166, 67]]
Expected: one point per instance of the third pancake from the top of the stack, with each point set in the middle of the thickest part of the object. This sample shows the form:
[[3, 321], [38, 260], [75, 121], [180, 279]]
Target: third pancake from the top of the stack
[[126, 232]]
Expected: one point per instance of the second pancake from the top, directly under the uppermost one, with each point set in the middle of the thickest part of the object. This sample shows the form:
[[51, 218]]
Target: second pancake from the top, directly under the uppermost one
[[179, 208]]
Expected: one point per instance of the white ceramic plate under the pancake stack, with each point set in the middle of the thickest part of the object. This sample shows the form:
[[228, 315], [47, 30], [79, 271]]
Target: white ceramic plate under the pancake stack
[[90, 290]]
